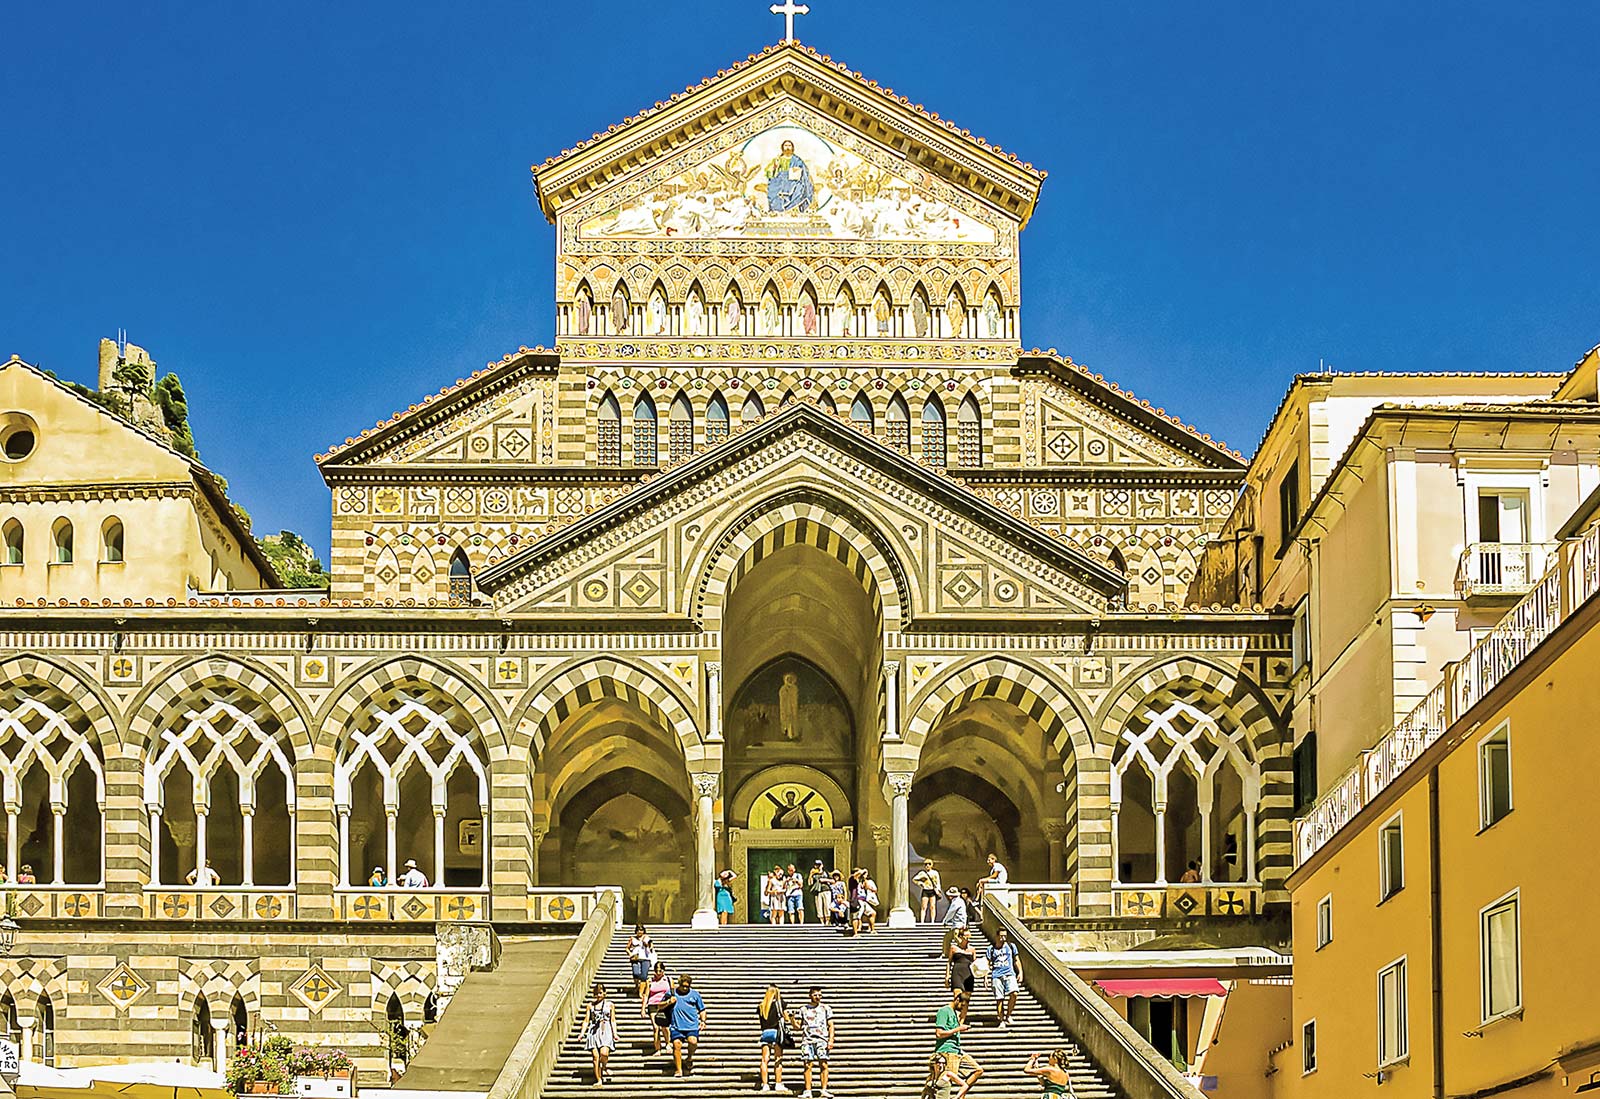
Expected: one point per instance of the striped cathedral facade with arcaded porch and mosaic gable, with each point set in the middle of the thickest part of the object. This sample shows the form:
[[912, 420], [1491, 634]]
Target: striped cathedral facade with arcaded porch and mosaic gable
[[785, 551]]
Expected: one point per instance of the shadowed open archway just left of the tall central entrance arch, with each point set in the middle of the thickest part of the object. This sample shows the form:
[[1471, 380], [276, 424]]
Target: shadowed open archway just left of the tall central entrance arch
[[615, 789]]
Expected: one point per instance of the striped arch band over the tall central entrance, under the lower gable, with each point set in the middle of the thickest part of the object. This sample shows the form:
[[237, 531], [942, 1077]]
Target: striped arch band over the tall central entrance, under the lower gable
[[802, 519]]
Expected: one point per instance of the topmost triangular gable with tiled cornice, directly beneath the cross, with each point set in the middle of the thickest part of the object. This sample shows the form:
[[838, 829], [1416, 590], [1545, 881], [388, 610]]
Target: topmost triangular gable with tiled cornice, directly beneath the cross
[[846, 119]]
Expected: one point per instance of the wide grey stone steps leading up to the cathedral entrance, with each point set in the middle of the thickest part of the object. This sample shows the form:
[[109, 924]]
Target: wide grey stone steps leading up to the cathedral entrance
[[884, 991]]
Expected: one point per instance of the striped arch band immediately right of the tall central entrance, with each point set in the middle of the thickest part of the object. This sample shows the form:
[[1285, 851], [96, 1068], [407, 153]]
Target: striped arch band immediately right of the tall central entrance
[[1009, 681]]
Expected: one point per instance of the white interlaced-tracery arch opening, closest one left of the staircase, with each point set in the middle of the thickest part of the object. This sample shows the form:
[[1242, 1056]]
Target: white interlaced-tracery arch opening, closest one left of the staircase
[[410, 785]]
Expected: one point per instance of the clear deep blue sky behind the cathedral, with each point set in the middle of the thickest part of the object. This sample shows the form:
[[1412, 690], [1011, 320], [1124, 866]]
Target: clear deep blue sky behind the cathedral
[[318, 214]]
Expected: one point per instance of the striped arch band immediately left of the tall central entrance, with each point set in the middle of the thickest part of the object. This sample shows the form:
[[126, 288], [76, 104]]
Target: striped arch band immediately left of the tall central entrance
[[578, 685]]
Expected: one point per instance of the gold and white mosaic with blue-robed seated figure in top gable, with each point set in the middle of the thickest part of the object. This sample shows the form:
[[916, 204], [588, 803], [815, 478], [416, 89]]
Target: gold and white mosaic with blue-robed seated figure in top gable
[[790, 183]]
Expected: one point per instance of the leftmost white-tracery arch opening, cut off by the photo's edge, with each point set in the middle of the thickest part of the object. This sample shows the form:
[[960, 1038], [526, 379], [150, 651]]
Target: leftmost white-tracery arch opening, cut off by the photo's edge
[[54, 786]]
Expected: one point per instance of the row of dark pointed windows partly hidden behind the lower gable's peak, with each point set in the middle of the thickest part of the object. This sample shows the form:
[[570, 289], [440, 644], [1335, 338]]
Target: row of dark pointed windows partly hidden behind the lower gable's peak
[[927, 438]]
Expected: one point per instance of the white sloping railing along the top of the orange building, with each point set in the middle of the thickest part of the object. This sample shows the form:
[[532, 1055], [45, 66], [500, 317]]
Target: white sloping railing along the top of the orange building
[[1572, 578]]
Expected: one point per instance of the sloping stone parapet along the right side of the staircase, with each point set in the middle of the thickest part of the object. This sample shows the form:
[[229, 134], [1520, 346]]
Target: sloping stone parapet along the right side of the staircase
[[1116, 1049]]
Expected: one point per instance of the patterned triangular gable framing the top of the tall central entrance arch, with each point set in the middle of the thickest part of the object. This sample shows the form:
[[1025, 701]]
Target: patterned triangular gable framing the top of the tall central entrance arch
[[649, 551]]
